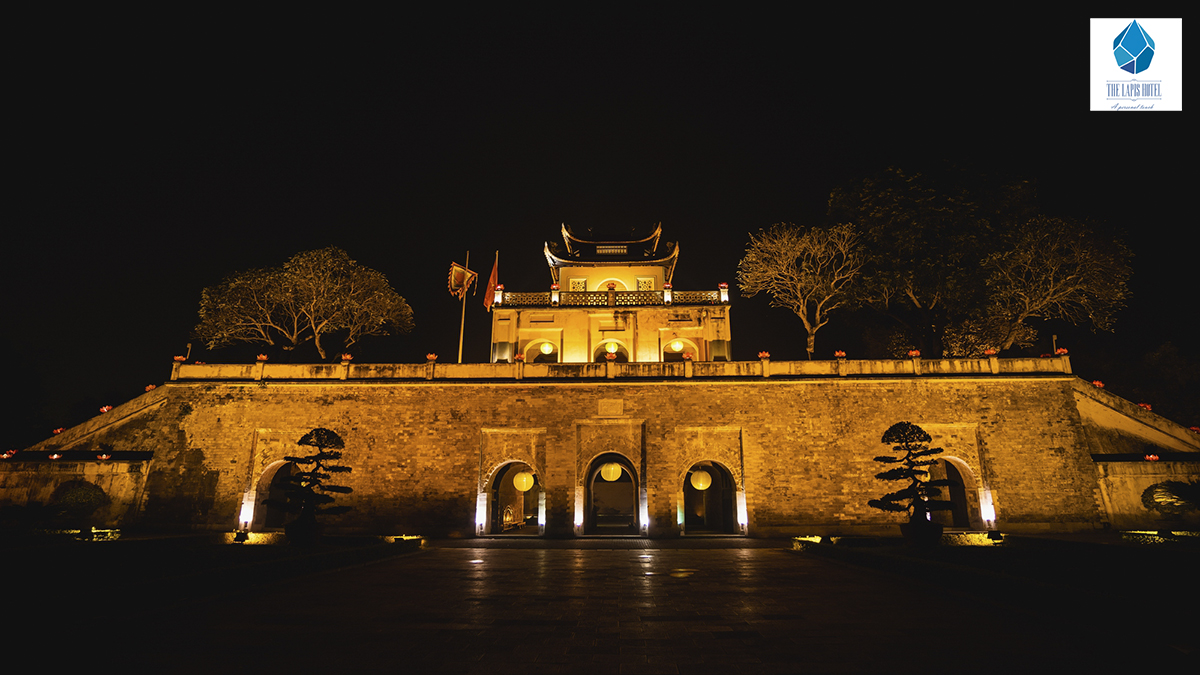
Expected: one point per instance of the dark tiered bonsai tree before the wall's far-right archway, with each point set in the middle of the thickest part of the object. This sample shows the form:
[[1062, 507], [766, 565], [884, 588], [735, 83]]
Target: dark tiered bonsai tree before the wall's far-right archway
[[916, 499]]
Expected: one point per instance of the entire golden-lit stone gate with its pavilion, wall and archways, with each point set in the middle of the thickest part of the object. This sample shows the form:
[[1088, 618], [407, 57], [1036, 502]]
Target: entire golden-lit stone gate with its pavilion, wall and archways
[[665, 439]]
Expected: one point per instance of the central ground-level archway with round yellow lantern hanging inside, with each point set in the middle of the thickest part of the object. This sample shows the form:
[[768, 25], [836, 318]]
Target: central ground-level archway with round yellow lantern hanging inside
[[611, 497]]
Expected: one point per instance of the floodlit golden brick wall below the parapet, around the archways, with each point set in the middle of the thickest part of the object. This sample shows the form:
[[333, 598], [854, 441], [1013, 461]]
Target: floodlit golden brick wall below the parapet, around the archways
[[800, 451]]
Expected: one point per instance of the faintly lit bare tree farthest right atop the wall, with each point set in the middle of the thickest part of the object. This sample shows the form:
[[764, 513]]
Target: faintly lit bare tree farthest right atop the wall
[[1055, 270]]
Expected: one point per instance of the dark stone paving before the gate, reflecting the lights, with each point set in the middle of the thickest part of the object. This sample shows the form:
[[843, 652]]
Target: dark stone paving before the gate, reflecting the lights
[[622, 607]]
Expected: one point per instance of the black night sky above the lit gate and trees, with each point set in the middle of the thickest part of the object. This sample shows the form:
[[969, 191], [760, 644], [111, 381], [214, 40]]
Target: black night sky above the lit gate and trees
[[153, 159]]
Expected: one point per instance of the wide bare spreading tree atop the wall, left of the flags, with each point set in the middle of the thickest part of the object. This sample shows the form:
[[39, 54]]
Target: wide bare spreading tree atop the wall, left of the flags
[[314, 295]]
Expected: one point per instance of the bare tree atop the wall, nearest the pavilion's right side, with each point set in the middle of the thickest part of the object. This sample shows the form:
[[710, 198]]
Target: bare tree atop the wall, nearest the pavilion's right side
[[807, 272]]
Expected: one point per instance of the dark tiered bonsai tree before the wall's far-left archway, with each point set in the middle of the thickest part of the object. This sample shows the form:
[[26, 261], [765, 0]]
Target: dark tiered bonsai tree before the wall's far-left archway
[[308, 492]]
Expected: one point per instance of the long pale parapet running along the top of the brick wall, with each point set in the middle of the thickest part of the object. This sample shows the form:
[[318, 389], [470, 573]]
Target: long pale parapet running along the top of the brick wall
[[765, 368]]
